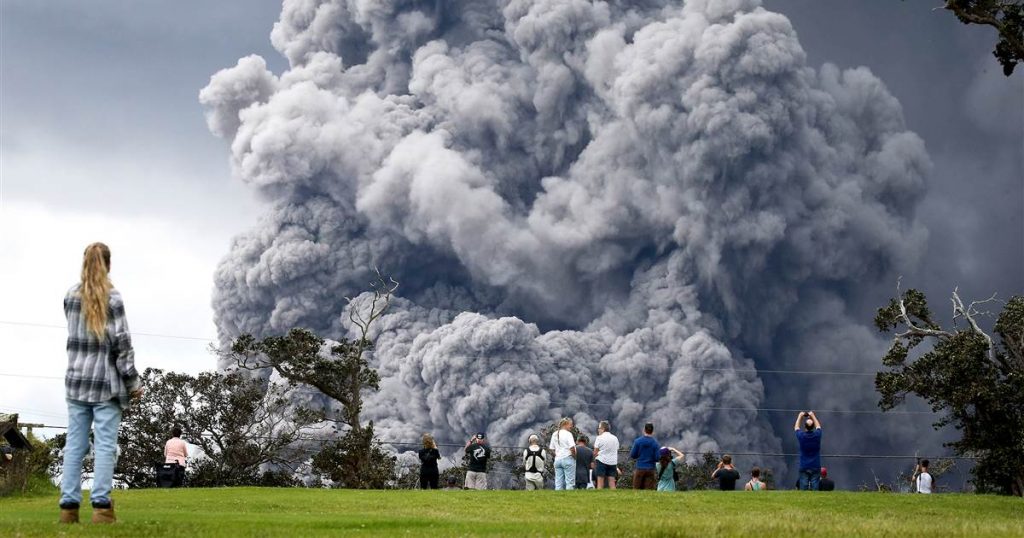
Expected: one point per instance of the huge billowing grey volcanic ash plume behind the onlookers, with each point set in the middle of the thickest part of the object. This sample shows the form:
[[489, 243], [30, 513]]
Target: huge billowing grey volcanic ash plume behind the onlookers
[[595, 210]]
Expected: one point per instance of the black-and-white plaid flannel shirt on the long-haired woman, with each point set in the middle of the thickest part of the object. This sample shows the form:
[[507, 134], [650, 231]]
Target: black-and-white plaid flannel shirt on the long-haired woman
[[100, 369]]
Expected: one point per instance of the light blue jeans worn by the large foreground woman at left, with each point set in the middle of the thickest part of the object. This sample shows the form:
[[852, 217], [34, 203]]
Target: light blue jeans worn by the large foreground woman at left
[[104, 419]]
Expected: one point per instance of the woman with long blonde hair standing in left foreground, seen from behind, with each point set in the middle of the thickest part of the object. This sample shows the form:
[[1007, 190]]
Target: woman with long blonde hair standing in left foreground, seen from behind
[[100, 383]]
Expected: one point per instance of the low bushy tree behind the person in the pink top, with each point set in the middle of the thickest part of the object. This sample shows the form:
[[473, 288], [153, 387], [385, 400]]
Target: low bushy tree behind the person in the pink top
[[248, 430]]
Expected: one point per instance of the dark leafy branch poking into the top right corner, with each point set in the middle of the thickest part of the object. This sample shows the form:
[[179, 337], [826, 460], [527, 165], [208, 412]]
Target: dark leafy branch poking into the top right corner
[[1007, 17]]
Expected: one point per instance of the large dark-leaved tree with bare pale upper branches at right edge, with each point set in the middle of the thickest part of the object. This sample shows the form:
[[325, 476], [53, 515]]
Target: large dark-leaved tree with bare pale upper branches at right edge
[[975, 381]]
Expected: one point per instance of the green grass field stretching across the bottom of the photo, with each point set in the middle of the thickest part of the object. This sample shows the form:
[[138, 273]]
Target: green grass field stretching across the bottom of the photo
[[298, 513]]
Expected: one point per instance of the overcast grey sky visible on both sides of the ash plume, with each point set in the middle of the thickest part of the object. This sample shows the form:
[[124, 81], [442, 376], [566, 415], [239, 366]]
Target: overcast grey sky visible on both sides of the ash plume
[[102, 138]]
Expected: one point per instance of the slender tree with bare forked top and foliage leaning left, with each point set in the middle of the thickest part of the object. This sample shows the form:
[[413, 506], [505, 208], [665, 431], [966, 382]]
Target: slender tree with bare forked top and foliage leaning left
[[342, 373]]
